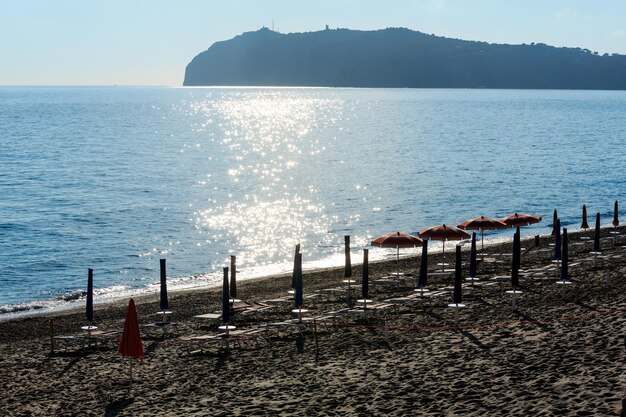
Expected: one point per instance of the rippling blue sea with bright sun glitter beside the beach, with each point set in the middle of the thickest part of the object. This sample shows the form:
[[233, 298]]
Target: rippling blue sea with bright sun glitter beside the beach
[[116, 178]]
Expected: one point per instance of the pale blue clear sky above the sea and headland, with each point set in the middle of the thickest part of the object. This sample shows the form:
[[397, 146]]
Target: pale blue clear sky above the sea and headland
[[149, 42]]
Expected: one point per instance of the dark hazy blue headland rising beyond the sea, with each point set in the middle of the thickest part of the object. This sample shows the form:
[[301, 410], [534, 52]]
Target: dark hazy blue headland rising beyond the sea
[[397, 57]]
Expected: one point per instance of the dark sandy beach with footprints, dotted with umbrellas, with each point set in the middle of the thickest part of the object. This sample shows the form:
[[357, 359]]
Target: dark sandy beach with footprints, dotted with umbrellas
[[560, 353]]
